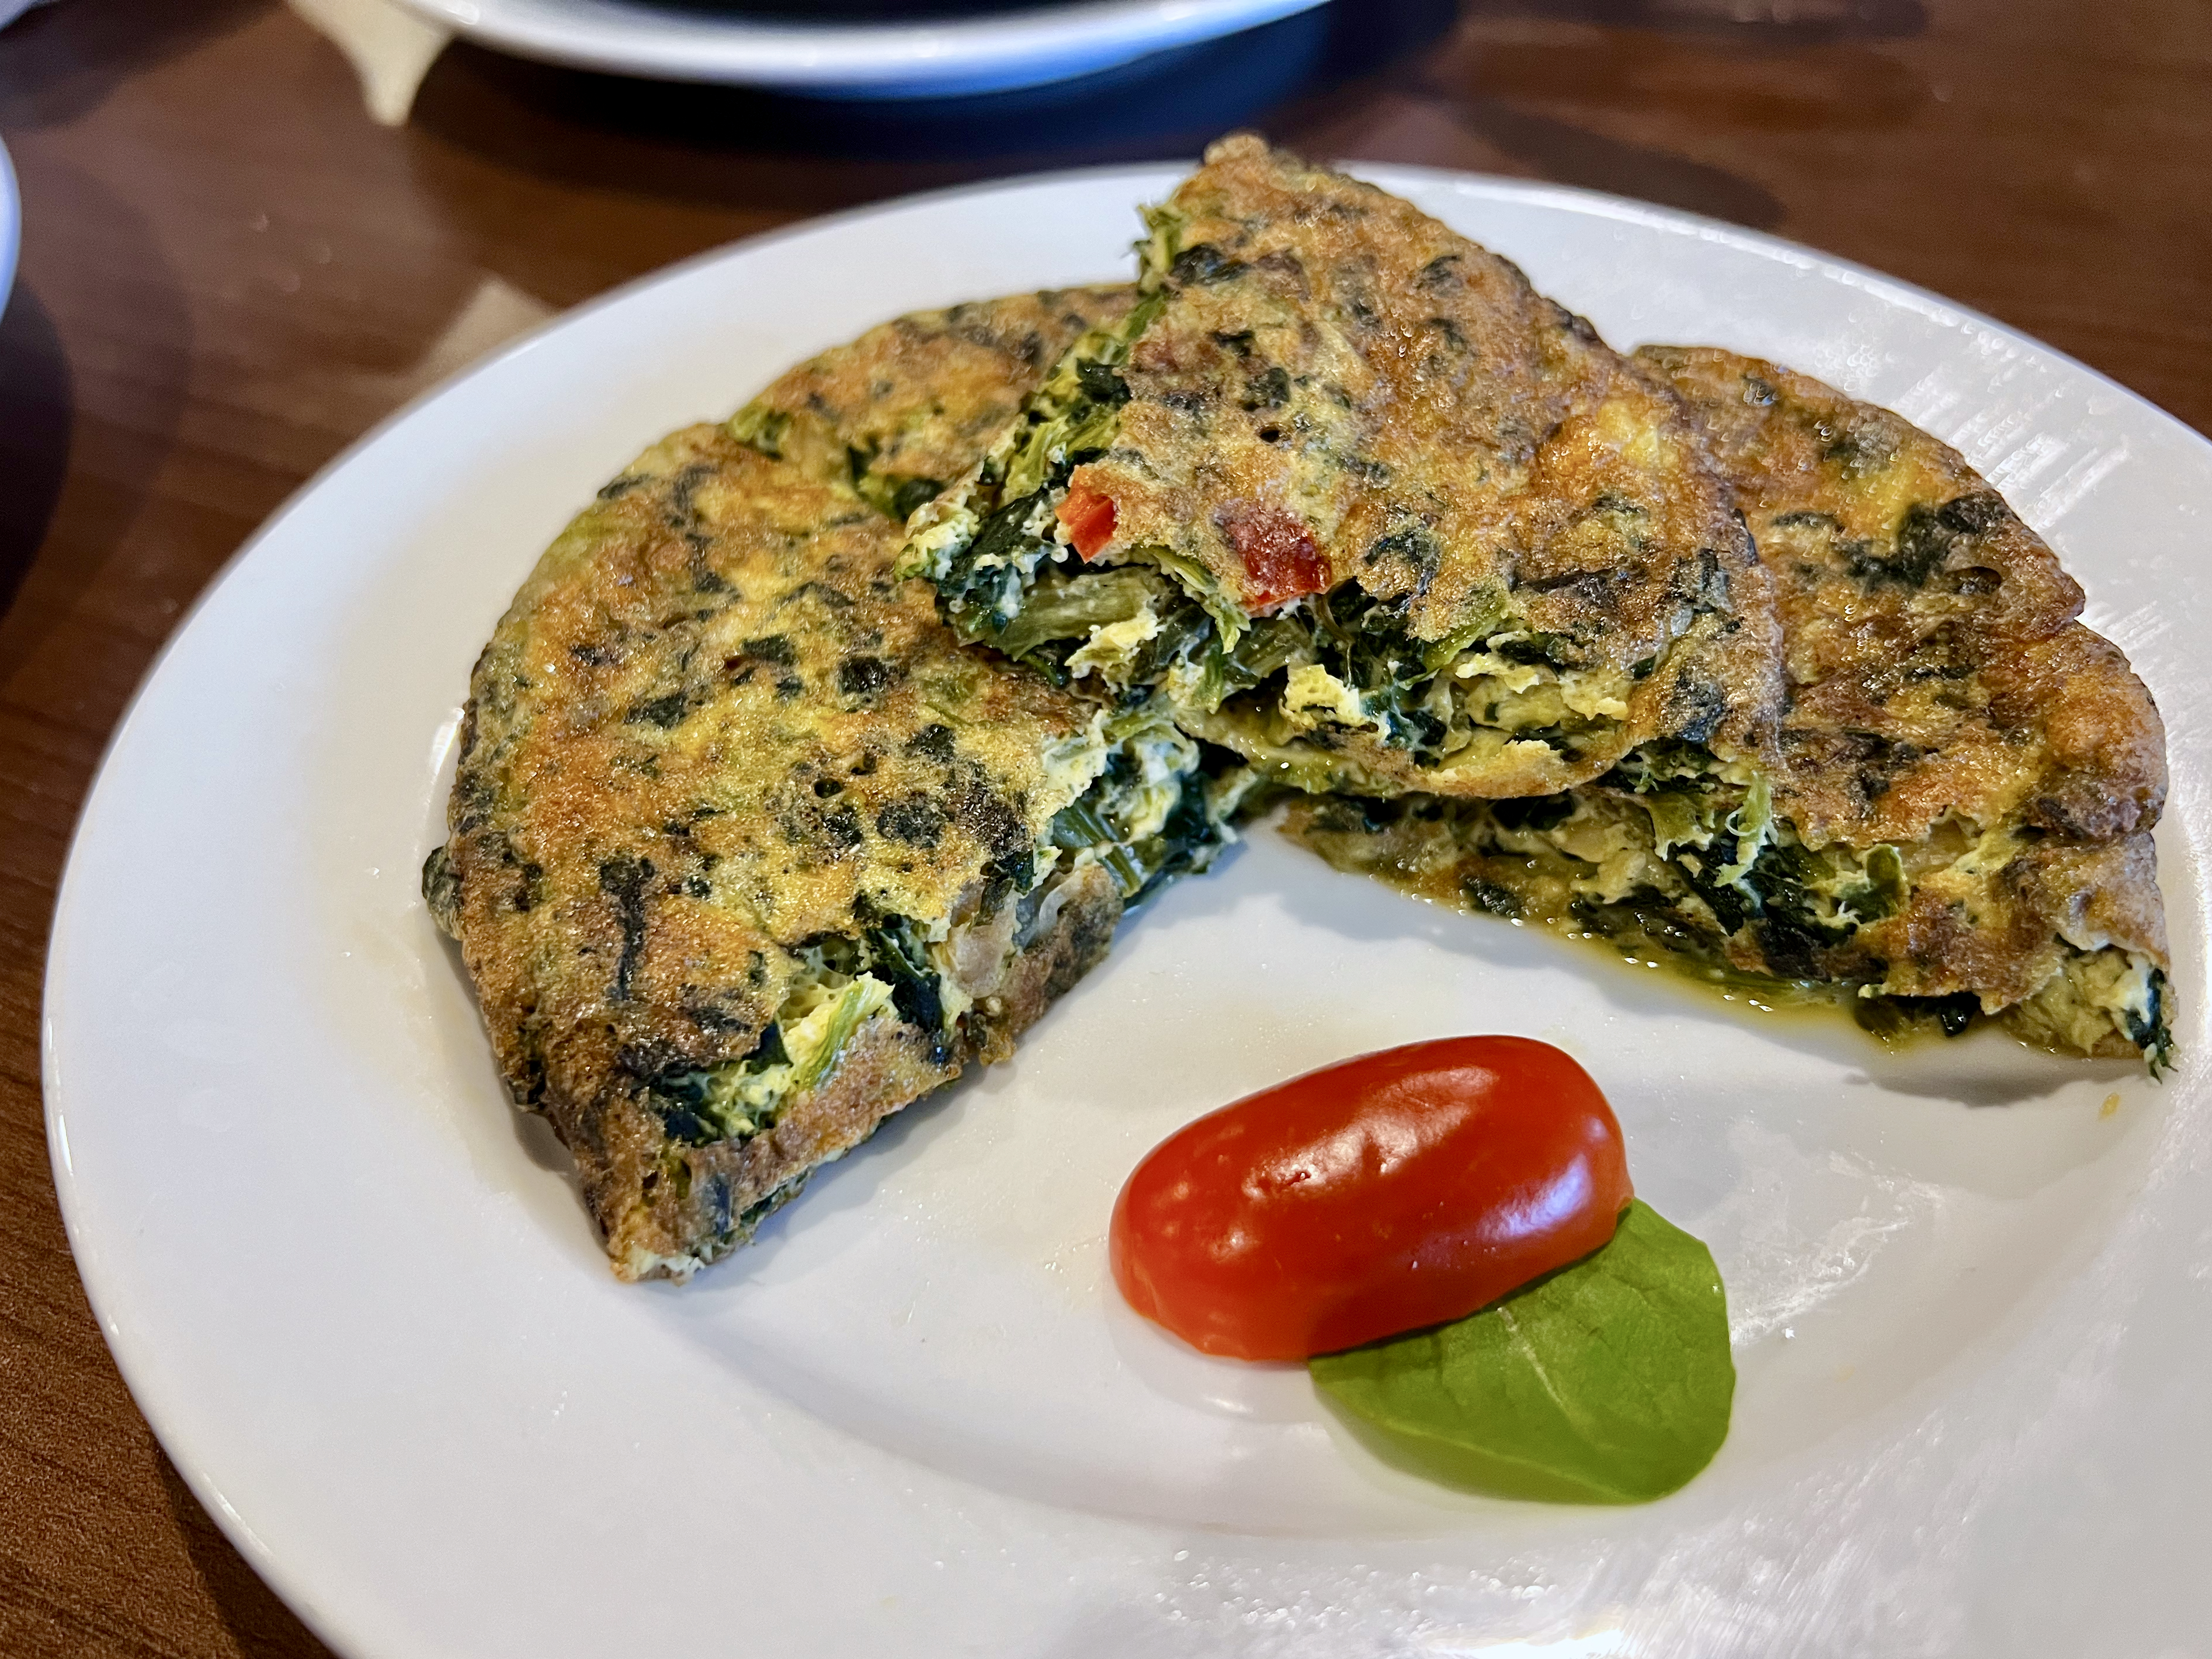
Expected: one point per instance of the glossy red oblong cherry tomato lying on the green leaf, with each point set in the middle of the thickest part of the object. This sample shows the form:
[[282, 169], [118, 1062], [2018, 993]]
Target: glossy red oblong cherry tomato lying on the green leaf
[[1370, 1198]]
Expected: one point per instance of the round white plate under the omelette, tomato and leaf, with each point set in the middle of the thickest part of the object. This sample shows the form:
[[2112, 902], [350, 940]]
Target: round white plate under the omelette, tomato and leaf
[[366, 1315]]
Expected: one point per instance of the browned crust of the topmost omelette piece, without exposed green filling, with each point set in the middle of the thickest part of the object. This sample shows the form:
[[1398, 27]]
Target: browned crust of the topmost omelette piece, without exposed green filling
[[1452, 441]]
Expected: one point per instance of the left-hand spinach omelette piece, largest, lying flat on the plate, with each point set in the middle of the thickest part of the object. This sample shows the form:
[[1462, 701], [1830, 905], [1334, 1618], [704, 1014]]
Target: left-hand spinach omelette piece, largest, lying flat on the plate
[[747, 851]]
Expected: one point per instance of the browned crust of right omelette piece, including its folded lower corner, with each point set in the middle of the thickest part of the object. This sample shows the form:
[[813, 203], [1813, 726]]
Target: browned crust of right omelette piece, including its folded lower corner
[[1939, 682]]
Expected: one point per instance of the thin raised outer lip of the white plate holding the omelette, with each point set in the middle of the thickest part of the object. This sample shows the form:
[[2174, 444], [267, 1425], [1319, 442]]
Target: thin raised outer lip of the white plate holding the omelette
[[132, 1353]]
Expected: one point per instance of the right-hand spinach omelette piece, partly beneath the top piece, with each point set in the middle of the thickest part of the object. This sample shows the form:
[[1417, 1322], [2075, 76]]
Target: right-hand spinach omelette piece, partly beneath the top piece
[[1957, 820]]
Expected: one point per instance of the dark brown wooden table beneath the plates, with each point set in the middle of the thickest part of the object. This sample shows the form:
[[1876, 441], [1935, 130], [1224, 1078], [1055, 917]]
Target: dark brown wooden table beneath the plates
[[231, 273]]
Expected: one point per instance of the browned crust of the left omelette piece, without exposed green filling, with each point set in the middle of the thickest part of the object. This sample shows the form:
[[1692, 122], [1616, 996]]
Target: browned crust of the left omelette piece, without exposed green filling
[[713, 729]]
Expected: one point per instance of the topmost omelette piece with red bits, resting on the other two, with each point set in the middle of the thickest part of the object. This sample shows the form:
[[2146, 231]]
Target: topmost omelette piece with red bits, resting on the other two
[[1366, 508]]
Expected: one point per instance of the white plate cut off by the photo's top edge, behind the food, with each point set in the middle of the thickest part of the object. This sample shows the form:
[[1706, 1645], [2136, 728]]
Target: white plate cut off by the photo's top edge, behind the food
[[939, 56]]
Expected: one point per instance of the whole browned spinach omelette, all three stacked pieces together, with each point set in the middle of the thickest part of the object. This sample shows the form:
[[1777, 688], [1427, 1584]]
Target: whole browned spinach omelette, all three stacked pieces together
[[755, 842]]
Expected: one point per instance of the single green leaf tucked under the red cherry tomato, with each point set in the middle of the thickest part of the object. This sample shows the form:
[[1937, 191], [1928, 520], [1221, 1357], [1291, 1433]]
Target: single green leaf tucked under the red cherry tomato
[[1603, 1384]]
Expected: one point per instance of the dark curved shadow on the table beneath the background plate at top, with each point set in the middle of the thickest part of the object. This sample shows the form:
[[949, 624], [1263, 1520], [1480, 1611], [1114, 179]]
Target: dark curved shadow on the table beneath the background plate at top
[[760, 149]]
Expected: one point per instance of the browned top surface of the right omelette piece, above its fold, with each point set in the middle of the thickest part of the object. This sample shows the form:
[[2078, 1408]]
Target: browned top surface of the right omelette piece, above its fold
[[1934, 658]]
